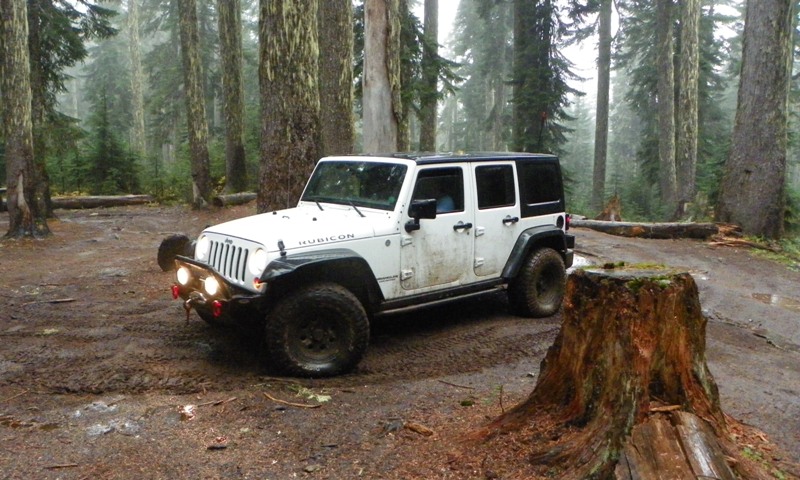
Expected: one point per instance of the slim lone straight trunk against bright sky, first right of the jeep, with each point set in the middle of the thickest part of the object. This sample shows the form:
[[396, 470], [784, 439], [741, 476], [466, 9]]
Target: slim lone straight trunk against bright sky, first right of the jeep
[[601, 117]]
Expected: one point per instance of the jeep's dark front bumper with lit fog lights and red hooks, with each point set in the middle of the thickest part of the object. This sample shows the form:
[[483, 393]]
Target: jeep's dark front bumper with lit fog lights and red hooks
[[229, 304]]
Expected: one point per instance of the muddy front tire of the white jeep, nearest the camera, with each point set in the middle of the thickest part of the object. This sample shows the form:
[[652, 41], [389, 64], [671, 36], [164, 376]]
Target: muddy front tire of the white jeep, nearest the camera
[[317, 331]]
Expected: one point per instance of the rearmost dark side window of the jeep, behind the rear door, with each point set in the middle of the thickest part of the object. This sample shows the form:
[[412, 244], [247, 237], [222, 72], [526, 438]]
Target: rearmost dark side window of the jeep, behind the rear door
[[541, 191]]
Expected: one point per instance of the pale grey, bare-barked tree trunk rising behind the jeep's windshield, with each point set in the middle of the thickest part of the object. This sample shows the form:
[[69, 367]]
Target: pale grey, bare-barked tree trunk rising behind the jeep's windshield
[[382, 109]]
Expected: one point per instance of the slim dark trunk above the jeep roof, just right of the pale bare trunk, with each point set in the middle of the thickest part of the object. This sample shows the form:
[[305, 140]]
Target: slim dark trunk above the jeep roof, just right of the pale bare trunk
[[430, 73]]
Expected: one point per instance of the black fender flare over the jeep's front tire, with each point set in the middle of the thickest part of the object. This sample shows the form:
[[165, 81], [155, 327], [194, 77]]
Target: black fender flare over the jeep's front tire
[[339, 265]]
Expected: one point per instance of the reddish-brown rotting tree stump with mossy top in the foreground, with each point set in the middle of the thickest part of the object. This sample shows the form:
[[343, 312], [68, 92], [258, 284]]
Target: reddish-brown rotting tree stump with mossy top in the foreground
[[624, 392]]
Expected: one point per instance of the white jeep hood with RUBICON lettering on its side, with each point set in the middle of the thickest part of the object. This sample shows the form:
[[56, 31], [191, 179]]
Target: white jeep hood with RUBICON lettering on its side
[[304, 226]]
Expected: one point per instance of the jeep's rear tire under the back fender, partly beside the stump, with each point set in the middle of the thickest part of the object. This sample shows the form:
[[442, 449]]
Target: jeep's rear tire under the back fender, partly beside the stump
[[538, 289]]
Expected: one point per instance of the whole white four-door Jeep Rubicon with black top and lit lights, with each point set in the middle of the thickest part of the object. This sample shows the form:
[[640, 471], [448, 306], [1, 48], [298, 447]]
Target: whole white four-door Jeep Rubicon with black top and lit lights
[[376, 234]]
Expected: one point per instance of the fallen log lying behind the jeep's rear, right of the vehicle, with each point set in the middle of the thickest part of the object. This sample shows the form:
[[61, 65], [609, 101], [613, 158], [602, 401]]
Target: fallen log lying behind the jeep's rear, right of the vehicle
[[650, 230]]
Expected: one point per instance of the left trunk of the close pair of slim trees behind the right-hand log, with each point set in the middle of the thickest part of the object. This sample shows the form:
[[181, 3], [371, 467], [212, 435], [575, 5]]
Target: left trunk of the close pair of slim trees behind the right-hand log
[[666, 104]]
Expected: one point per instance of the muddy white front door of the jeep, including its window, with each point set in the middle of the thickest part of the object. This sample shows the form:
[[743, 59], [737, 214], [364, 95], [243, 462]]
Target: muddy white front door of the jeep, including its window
[[439, 253]]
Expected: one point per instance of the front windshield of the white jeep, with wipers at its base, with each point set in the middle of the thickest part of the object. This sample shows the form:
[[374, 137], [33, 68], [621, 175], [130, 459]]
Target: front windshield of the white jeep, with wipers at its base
[[362, 184]]
